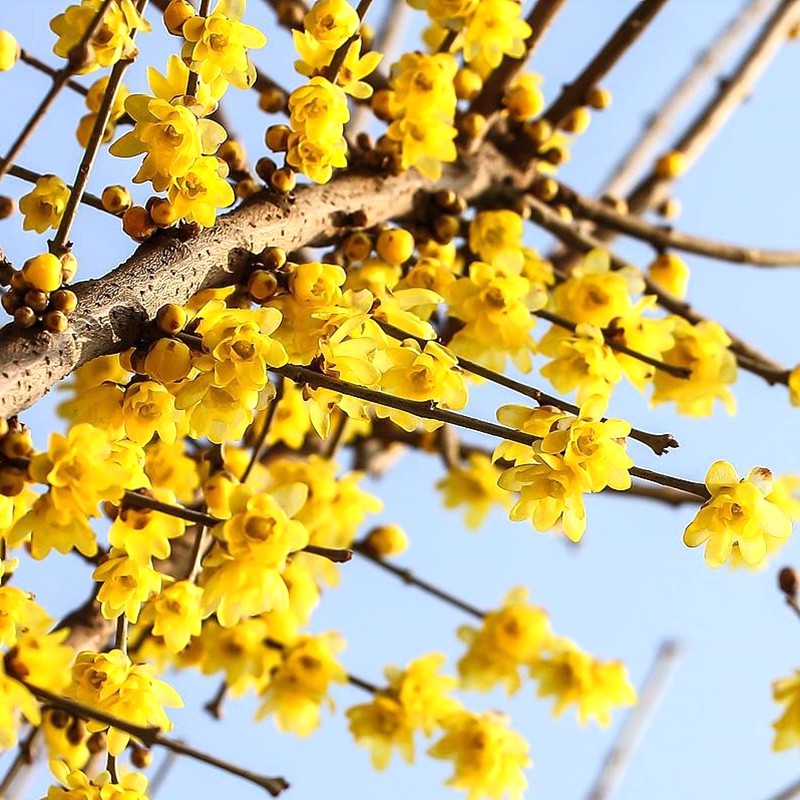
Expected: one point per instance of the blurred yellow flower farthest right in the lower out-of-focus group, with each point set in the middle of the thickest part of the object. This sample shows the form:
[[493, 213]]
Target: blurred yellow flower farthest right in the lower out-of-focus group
[[574, 677]]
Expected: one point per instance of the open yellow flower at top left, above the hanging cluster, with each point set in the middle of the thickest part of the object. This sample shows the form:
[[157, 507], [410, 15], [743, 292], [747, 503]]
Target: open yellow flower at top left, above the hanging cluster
[[217, 45]]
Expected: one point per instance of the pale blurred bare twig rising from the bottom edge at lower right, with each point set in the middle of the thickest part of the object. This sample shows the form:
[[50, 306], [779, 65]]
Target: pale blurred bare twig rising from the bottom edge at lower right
[[639, 718]]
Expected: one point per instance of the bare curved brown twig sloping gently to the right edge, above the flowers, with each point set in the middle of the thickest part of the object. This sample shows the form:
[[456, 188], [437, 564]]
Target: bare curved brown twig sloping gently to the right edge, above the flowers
[[663, 238]]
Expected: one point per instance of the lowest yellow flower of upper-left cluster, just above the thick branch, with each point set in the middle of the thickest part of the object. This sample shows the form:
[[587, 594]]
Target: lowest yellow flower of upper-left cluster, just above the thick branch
[[198, 194]]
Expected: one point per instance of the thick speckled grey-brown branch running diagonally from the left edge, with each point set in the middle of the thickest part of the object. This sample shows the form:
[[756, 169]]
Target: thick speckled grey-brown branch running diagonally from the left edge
[[113, 310]]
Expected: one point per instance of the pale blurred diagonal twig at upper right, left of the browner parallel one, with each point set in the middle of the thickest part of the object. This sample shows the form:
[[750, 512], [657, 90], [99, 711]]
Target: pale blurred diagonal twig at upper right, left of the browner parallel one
[[660, 121]]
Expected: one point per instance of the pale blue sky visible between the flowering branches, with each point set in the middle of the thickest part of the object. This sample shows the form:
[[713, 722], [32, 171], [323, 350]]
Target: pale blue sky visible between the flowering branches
[[631, 583]]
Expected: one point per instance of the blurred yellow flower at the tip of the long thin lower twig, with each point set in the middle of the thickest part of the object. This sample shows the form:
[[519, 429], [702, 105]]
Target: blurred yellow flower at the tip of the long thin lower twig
[[509, 638]]
